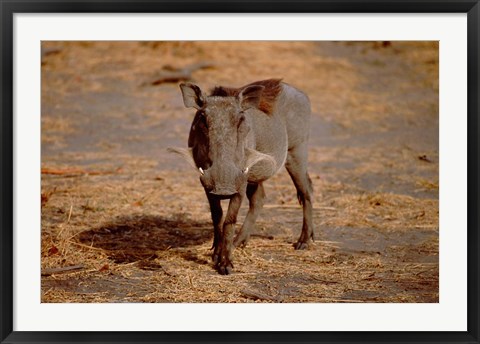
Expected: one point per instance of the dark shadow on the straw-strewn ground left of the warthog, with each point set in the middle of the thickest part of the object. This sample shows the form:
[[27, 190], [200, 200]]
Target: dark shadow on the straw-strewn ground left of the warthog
[[132, 238]]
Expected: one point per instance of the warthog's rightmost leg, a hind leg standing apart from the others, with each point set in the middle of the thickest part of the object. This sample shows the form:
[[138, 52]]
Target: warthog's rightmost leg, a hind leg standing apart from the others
[[296, 165]]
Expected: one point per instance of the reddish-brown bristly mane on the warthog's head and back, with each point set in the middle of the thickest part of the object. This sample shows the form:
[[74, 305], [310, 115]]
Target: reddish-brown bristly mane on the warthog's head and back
[[267, 100]]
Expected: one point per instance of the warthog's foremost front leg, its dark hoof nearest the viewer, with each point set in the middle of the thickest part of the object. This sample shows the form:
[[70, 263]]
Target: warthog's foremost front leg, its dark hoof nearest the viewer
[[224, 264]]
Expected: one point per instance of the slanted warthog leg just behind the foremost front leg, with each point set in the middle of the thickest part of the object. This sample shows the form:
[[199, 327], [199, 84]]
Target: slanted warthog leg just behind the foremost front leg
[[256, 198]]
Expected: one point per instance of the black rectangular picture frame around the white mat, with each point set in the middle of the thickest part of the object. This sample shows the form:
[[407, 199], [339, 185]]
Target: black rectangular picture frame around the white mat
[[10, 7]]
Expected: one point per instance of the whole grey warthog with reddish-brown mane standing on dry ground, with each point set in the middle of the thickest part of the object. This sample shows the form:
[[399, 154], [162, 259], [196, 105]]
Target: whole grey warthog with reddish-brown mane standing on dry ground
[[239, 138]]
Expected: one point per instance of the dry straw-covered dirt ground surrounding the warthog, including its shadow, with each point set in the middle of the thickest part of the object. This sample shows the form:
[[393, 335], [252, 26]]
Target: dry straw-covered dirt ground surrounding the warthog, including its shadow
[[125, 221]]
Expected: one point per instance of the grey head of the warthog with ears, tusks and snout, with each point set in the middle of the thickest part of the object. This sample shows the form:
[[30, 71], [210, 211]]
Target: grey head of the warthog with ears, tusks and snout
[[221, 139]]
